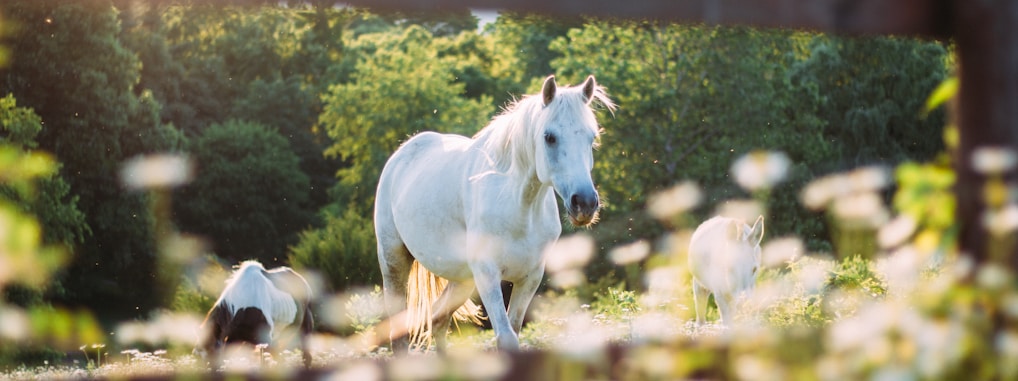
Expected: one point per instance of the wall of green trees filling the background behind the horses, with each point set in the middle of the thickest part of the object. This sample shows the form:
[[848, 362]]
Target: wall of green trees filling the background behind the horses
[[290, 112]]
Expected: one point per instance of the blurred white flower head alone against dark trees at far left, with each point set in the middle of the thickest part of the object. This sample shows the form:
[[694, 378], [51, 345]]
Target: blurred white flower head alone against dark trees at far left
[[156, 172]]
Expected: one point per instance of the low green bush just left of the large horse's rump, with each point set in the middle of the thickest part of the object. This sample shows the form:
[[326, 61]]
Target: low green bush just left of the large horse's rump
[[344, 252]]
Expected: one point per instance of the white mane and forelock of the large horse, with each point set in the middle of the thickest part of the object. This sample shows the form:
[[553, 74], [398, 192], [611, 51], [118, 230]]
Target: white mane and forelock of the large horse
[[510, 140]]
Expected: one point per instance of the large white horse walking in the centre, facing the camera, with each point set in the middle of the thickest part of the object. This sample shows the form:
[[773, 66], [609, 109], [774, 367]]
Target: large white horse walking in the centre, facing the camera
[[479, 211]]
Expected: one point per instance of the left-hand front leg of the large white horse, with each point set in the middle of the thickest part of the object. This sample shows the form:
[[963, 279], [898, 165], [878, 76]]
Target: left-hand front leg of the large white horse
[[489, 282]]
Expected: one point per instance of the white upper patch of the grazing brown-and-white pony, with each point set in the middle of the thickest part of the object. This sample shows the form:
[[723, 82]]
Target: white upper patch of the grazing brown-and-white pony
[[250, 287]]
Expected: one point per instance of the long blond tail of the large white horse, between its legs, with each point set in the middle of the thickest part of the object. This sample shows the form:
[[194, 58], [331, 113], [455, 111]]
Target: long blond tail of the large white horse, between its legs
[[423, 290]]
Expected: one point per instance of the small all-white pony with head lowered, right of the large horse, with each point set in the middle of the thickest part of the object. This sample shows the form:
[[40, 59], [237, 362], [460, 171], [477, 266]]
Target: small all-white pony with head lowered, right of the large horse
[[724, 258]]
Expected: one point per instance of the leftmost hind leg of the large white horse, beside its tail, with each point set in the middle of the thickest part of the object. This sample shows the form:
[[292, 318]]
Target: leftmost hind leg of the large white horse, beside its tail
[[395, 261]]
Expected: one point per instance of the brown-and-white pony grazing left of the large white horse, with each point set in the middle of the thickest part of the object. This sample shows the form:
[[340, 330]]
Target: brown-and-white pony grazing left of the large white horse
[[259, 307]]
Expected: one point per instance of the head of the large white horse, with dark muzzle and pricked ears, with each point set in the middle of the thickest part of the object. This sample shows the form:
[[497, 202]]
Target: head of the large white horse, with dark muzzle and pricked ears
[[564, 146]]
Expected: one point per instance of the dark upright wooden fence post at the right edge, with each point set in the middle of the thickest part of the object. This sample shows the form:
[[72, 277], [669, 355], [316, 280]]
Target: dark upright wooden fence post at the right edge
[[987, 37]]
